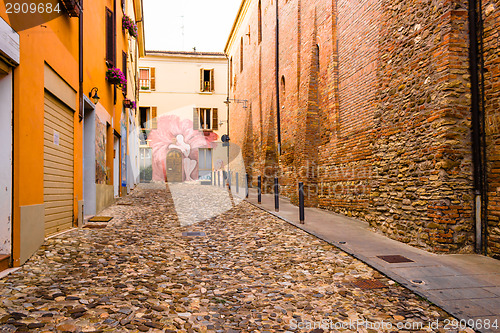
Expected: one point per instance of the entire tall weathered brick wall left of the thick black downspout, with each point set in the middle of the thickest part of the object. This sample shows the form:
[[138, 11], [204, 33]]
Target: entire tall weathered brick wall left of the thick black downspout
[[379, 127]]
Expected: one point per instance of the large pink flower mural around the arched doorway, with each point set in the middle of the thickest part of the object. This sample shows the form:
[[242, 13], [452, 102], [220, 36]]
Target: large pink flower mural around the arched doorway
[[174, 133]]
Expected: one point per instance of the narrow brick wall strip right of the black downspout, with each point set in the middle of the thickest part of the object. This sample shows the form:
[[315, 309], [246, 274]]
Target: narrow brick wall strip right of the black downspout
[[491, 16]]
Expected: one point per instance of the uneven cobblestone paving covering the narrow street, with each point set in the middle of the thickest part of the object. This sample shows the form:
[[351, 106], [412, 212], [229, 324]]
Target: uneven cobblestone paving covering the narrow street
[[251, 273]]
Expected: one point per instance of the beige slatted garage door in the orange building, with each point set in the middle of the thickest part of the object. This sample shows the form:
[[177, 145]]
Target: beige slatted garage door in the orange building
[[57, 166]]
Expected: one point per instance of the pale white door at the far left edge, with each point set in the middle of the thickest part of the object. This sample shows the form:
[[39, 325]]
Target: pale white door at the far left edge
[[5, 162]]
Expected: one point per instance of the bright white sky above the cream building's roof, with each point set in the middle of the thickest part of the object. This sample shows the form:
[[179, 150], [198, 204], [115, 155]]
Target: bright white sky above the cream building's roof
[[207, 24]]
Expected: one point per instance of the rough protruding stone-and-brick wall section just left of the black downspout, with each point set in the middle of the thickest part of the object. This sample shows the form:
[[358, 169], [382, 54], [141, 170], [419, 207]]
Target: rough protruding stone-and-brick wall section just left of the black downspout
[[422, 193]]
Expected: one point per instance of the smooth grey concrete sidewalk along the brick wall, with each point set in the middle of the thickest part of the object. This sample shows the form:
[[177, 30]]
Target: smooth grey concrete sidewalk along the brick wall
[[465, 285]]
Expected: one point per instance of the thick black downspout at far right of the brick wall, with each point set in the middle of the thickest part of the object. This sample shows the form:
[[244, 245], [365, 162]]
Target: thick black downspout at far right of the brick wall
[[476, 125]]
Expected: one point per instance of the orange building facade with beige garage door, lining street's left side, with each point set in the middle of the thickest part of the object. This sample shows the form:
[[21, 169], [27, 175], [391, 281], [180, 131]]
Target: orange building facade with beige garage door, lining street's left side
[[55, 121]]
